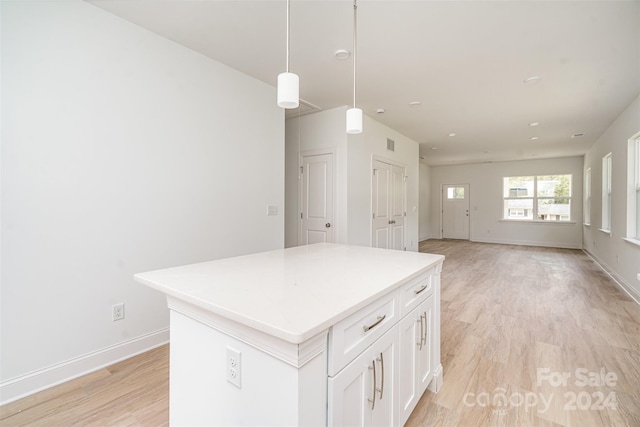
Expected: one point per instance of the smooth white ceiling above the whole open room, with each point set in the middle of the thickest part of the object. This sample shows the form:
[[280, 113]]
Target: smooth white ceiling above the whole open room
[[466, 62]]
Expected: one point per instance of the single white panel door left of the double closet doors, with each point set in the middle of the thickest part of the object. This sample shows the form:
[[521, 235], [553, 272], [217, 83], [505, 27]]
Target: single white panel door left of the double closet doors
[[316, 210]]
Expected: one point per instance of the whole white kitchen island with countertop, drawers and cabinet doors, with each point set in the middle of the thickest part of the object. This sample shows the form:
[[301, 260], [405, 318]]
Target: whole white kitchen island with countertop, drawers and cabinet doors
[[324, 334]]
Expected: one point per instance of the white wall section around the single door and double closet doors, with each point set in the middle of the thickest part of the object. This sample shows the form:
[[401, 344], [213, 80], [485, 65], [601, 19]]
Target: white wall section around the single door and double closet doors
[[354, 162]]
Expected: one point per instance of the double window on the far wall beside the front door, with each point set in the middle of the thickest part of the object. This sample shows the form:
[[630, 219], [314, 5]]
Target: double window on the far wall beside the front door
[[537, 198]]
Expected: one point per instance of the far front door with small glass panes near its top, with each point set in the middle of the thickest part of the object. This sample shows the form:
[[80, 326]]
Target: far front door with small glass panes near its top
[[455, 211]]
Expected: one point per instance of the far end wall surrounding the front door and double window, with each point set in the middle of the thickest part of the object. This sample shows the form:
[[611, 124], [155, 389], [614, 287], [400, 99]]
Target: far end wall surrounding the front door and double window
[[485, 181]]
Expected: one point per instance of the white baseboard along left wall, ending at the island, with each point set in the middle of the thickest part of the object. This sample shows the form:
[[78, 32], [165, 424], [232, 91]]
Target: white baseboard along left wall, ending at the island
[[33, 382]]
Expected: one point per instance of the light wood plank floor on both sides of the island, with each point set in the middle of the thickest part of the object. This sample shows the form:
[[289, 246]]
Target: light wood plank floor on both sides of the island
[[514, 319]]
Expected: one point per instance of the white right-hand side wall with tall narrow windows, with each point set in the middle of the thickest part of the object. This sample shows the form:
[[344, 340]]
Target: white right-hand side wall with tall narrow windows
[[619, 257]]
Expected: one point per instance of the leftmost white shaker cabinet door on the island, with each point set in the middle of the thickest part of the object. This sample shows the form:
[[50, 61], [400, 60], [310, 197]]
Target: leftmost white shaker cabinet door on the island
[[348, 392]]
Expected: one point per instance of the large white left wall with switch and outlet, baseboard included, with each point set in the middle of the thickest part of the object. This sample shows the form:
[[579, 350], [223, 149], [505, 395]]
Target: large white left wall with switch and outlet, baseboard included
[[122, 152]]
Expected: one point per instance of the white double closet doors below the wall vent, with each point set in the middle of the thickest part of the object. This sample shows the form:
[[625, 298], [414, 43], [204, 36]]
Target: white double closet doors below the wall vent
[[388, 202]]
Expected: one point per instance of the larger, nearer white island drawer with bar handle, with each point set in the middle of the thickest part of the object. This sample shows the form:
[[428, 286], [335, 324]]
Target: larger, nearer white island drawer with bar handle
[[349, 337]]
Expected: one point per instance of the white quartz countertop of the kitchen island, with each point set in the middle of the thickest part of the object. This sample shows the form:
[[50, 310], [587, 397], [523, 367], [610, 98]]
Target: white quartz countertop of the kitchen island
[[293, 293]]
